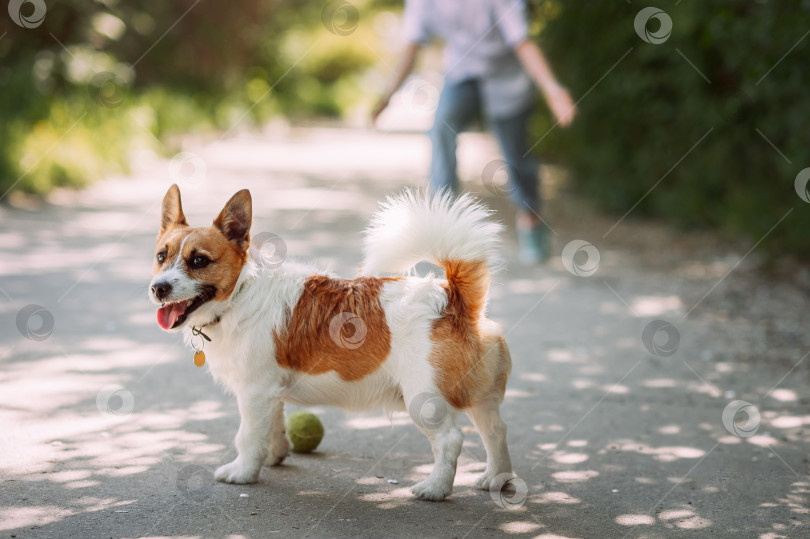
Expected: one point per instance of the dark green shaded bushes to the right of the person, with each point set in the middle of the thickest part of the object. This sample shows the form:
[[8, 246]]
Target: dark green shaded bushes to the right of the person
[[648, 115]]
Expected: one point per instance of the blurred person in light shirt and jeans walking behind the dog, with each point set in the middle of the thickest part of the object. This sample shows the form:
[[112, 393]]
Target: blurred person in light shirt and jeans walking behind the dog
[[489, 63]]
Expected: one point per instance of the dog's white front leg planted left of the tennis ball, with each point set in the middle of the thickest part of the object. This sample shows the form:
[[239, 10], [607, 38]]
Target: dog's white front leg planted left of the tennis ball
[[258, 411]]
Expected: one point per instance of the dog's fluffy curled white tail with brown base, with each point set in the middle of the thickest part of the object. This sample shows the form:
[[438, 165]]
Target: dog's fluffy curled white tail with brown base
[[455, 233]]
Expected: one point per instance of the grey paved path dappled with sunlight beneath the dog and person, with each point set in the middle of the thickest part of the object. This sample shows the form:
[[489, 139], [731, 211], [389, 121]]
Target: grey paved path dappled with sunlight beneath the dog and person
[[109, 430]]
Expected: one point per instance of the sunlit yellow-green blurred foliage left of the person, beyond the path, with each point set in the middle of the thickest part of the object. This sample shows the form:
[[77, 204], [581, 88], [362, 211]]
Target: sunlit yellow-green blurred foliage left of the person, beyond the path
[[101, 80]]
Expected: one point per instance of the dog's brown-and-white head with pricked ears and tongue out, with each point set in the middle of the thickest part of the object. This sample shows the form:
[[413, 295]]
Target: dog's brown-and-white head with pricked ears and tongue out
[[196, 268]]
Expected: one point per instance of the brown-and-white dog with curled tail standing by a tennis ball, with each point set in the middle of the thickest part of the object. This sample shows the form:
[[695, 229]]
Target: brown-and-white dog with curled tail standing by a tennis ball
[[285, 332]]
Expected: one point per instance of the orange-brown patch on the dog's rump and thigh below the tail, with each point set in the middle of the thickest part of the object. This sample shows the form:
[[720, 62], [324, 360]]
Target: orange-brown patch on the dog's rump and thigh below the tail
[[470, 360]]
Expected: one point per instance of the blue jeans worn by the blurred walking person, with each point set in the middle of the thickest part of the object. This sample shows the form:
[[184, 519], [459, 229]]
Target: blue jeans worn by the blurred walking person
[[458, 105]]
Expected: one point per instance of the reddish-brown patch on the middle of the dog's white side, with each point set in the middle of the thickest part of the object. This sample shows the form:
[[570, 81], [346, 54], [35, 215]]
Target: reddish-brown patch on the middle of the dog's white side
[[337, 325]]
